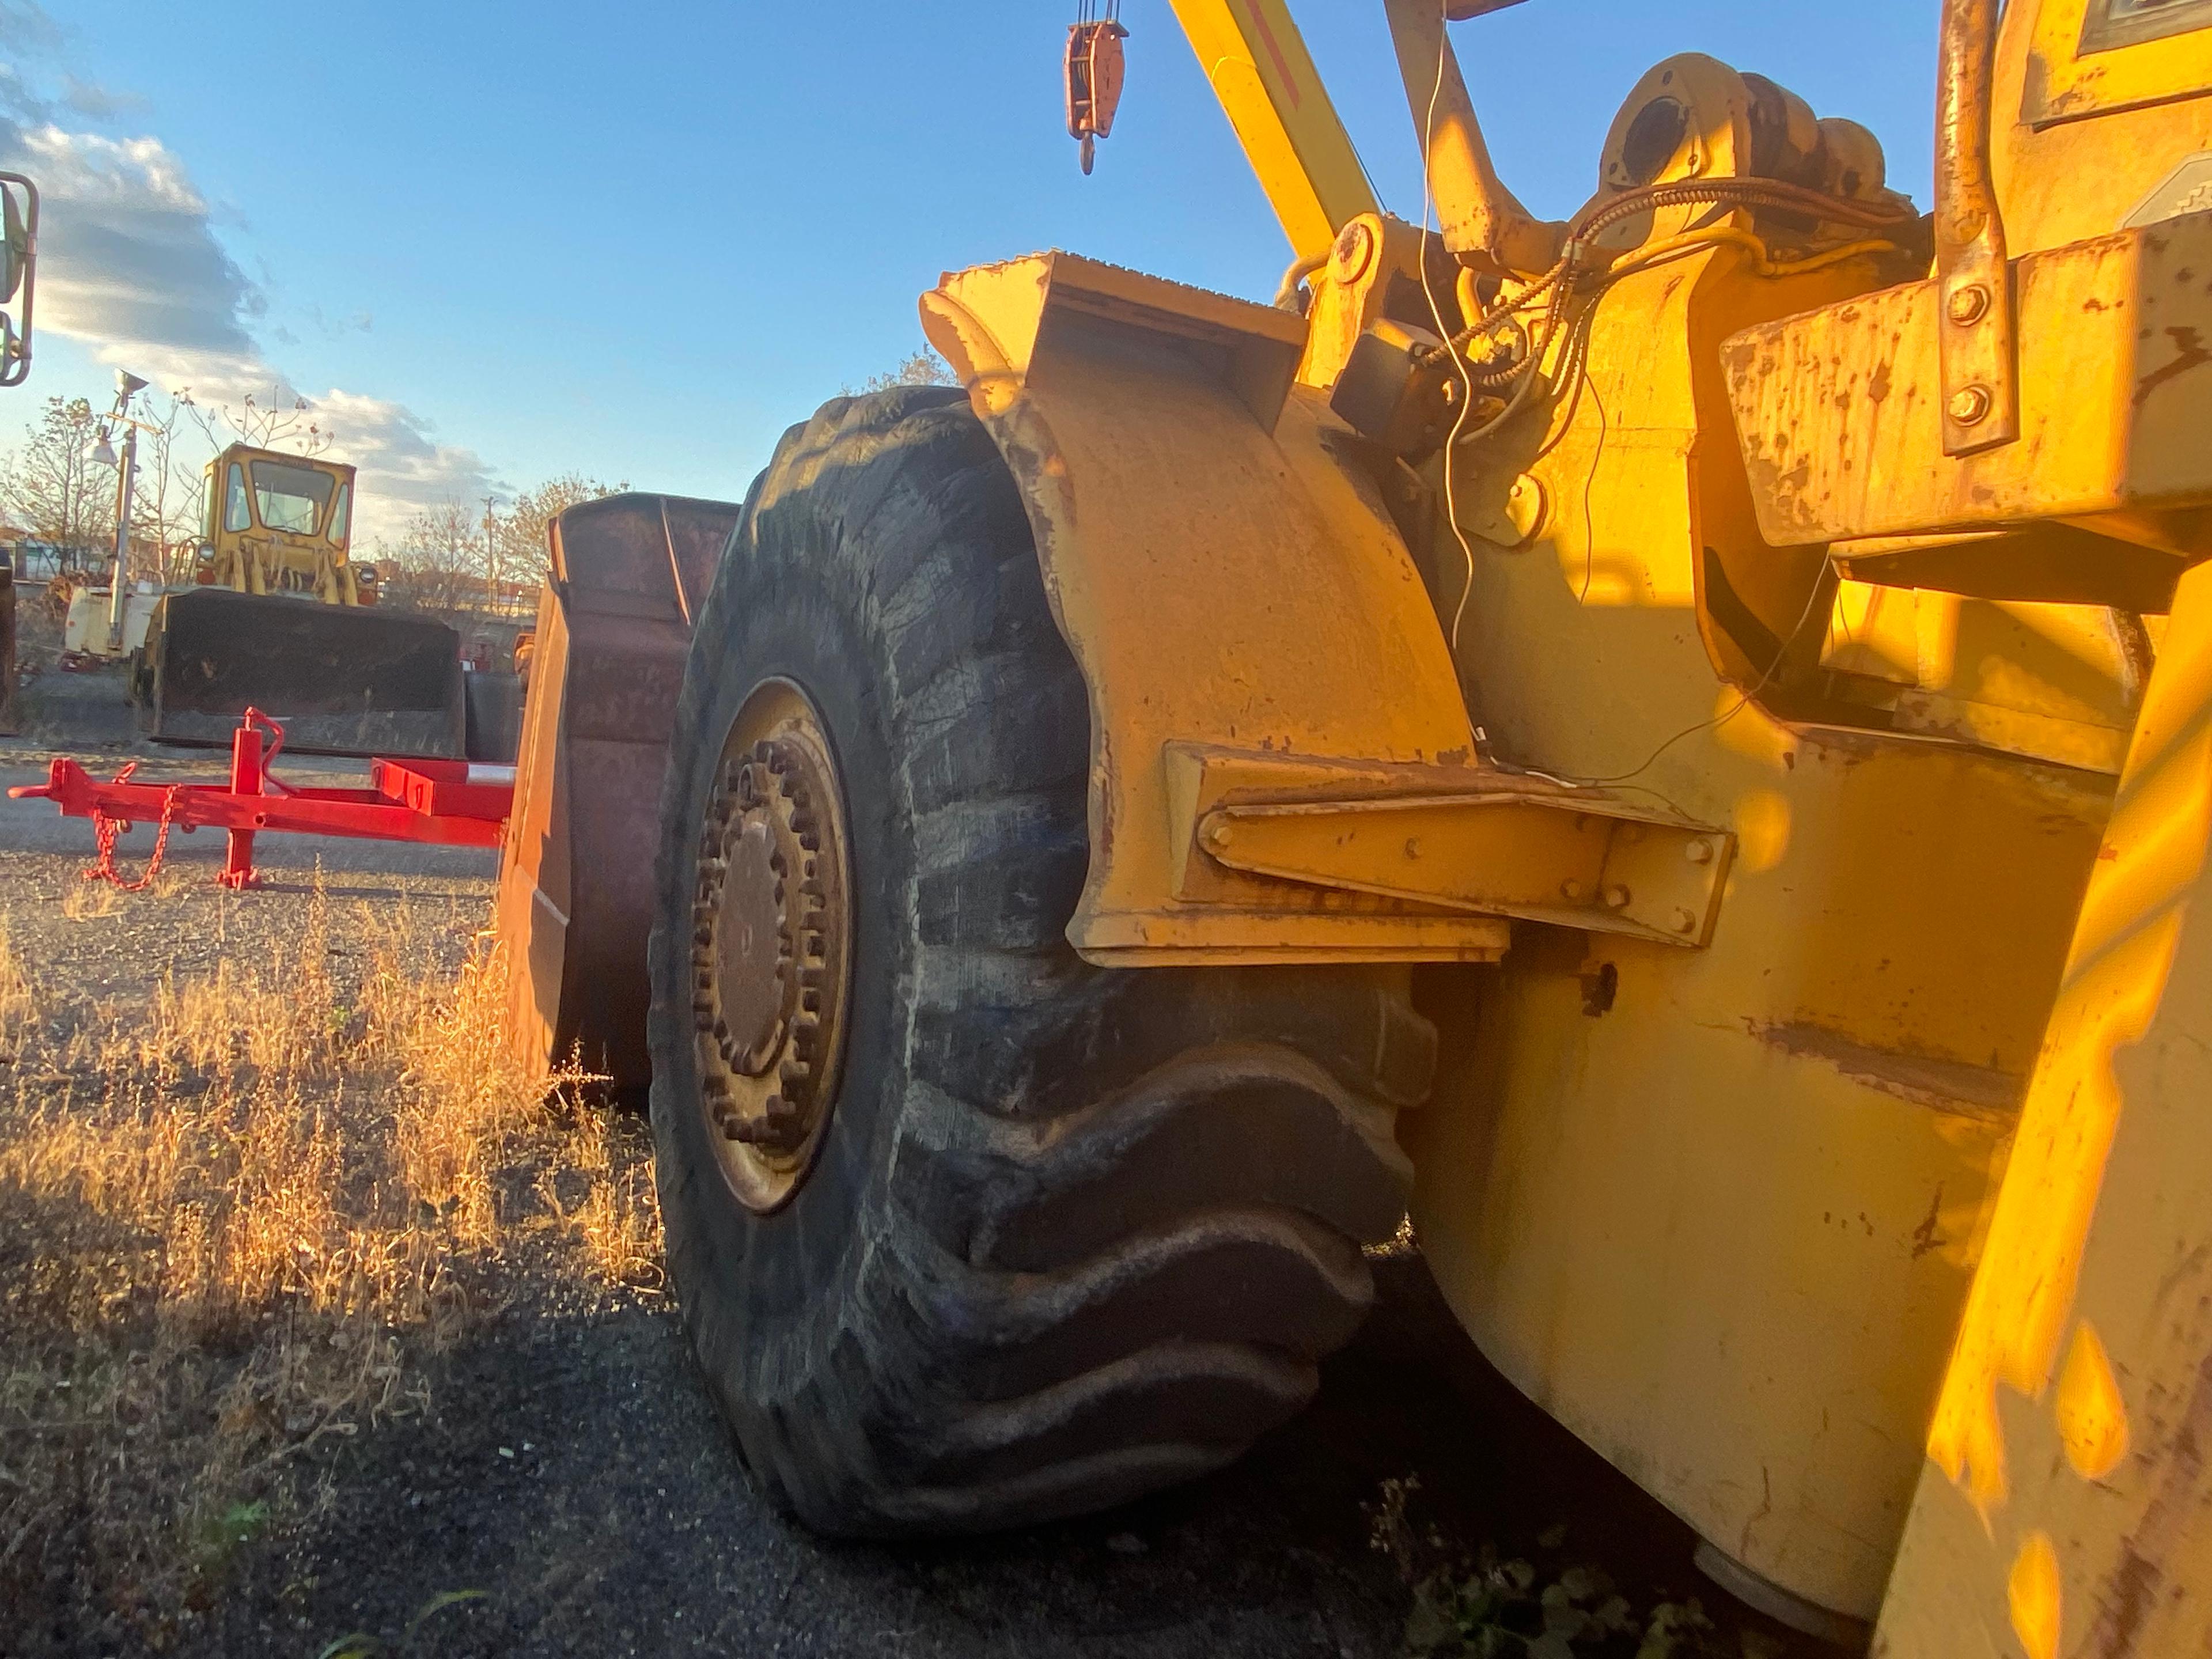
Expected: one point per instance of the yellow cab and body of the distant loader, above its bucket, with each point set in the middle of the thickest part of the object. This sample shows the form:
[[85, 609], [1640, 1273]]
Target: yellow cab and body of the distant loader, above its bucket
[[280, 523]]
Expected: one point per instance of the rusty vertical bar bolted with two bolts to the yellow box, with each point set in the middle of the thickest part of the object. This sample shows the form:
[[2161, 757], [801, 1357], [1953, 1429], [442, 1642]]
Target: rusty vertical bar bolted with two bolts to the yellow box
[[1981, 388]]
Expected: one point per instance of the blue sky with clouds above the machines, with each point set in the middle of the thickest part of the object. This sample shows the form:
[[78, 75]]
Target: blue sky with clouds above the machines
[[503, 242]]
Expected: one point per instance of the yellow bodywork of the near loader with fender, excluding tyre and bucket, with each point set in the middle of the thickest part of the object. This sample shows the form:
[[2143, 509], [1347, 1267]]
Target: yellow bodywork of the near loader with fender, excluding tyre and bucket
[[1731, 716]]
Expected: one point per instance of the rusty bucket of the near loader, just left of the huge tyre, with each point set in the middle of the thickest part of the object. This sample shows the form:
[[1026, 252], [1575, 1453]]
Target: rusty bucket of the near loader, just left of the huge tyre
[[576, 870]]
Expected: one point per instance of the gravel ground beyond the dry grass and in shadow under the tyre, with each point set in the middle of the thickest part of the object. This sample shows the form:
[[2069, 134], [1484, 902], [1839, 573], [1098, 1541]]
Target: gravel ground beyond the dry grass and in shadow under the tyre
[[574, 1472]]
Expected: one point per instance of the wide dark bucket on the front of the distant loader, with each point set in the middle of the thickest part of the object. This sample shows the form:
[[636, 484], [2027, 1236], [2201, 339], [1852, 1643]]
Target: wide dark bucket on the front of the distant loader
[[342, 680]]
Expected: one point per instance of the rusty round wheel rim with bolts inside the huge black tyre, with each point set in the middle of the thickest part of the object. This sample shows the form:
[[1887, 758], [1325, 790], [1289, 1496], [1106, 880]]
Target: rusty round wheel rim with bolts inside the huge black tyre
[[771, 946]]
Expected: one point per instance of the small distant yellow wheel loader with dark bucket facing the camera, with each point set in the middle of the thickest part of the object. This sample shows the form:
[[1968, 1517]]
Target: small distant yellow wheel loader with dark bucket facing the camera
[[282, 618]]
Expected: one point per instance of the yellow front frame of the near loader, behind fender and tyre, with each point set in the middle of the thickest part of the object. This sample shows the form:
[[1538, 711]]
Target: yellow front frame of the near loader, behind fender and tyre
[[1715, 1209]]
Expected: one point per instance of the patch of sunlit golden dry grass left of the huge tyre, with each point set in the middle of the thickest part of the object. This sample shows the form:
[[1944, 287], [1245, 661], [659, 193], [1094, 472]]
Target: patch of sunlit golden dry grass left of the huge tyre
[[238, 1222]]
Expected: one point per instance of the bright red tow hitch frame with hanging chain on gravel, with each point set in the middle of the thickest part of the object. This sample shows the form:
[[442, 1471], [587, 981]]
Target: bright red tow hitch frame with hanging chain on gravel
[[432, 802]]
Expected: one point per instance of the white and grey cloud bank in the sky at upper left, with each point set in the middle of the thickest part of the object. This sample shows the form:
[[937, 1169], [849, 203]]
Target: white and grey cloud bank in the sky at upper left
[[129, 264]]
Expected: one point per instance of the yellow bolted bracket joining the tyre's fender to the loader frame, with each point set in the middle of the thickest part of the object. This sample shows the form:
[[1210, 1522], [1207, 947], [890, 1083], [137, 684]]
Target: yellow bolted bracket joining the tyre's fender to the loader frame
[[1452, 837]]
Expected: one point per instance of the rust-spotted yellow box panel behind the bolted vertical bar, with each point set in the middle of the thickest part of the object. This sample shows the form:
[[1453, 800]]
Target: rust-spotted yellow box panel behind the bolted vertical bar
[[1839, 410]]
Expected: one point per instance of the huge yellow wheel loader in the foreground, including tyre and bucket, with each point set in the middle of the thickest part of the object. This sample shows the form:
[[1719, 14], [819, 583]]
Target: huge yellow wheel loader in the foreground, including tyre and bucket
[[1673, 747]]
